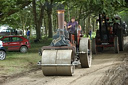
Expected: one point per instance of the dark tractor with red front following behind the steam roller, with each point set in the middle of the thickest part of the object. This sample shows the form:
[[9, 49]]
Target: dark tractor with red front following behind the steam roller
[[110, 34]]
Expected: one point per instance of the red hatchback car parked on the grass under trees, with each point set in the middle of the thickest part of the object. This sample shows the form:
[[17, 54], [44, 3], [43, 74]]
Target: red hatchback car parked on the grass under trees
[[15, 43]]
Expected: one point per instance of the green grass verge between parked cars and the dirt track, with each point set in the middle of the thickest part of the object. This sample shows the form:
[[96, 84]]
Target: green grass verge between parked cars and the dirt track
[[17, 62]]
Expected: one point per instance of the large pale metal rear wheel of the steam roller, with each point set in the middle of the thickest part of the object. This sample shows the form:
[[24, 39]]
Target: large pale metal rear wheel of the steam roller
[[85, 53]]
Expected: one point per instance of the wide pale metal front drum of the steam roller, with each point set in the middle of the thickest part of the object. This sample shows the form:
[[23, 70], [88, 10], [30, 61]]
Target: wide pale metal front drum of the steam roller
[[57, 62]]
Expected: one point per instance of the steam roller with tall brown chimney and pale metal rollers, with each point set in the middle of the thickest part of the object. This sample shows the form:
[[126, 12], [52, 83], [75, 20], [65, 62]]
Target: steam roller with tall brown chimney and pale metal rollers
[[59, 59]]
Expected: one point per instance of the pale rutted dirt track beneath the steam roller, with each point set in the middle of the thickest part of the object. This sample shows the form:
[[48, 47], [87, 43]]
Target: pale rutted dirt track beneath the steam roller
[[107, 68]]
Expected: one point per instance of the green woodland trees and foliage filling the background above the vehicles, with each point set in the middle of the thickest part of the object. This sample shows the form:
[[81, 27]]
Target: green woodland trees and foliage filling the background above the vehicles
[[37, 13]]
